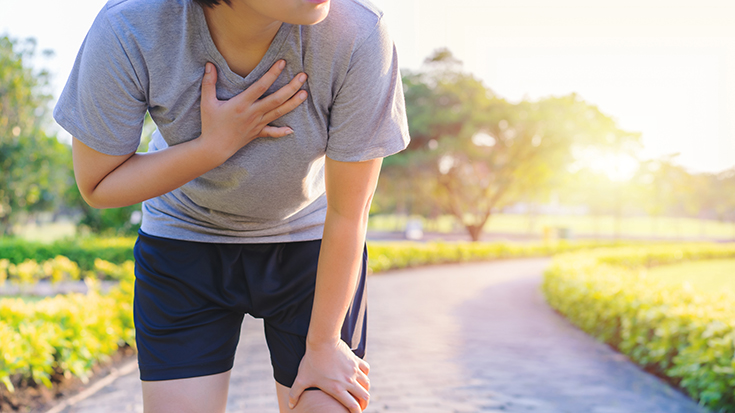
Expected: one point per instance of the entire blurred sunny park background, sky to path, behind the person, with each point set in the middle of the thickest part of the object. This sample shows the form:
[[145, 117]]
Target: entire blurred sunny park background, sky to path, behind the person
[[608, 124]]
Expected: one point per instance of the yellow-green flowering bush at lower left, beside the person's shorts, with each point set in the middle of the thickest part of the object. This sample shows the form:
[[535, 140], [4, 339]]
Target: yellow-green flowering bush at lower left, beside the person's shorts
[[66, 334]]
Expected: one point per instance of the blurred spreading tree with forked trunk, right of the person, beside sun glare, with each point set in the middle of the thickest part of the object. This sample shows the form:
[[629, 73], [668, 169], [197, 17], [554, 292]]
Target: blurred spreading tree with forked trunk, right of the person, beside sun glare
[[481, 152]]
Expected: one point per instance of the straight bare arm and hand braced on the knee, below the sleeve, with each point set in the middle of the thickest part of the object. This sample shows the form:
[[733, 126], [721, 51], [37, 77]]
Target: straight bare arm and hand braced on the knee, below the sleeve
[[329, 363]]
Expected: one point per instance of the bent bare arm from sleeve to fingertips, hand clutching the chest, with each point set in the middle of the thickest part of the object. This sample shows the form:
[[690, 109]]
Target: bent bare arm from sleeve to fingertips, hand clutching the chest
[[107, 181]]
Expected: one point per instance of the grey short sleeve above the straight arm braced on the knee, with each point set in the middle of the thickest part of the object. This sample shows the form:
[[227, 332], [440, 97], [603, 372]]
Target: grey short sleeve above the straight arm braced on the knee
[[368, 116]]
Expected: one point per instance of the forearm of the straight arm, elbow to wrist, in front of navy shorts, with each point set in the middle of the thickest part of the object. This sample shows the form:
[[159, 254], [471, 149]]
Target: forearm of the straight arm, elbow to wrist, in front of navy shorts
[[340, 259]]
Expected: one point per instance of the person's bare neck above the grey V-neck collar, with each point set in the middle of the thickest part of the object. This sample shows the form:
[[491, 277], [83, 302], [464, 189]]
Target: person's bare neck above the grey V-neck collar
[[240, 26]]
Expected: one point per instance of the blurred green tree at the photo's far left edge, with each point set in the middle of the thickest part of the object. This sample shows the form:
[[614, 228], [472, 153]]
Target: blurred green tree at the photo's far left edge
[[33, 169]]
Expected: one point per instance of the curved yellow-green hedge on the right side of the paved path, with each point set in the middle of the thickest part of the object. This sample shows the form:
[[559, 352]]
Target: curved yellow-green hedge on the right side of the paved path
[[686, 335]]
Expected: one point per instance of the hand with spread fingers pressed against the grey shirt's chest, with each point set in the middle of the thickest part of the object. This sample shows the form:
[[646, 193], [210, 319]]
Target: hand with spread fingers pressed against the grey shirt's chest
[[228, 125]]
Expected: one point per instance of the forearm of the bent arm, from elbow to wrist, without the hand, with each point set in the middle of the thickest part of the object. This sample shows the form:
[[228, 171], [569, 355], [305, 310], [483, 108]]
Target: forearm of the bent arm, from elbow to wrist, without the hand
[[145, 176]]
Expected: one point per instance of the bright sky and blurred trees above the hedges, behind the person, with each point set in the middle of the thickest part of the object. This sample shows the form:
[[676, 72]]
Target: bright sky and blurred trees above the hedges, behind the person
[[530, 120]]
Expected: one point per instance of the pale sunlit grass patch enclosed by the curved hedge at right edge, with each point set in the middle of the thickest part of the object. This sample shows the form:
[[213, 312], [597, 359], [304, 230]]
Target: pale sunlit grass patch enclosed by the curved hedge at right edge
[[711, 276]]
